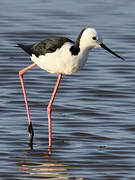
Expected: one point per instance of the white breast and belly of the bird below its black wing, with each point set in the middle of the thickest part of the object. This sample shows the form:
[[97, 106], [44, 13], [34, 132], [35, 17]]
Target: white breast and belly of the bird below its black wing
[[61, 61]]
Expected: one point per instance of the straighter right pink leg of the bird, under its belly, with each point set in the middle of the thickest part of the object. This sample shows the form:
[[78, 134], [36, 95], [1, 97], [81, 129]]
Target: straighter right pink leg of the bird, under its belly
[[49, 109]]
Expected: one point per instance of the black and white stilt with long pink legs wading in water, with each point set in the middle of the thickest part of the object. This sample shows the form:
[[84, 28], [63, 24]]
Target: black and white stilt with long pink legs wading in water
[[60, 55]]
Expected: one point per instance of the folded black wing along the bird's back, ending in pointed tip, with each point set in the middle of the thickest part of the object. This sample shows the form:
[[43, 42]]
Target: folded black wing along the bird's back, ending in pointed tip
[[46, 46]]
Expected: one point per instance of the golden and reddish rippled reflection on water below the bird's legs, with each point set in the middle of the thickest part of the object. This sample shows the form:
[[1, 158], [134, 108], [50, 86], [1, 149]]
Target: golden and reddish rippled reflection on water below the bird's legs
[[39, 164]]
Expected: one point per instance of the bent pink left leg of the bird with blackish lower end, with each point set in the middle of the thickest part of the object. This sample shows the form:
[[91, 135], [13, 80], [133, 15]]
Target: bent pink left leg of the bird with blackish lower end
[[30, 129]]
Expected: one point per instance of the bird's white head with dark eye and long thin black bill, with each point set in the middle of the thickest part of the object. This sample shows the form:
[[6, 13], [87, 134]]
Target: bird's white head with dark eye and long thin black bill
[[90, 38]]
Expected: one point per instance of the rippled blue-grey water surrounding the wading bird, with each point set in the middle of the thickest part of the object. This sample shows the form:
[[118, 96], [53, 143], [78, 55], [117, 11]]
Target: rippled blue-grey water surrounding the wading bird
[[93, 114]]
